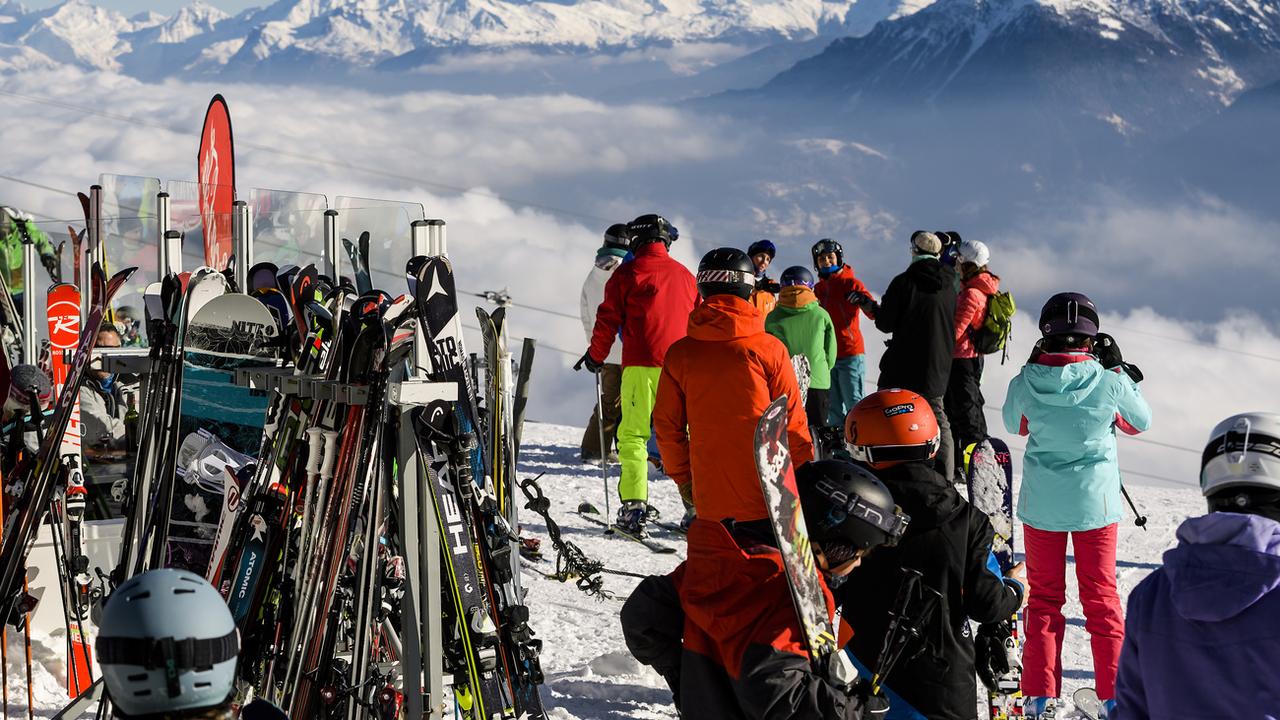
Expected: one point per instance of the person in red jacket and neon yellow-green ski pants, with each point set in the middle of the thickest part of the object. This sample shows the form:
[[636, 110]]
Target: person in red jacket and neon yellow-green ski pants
[[648, 300]]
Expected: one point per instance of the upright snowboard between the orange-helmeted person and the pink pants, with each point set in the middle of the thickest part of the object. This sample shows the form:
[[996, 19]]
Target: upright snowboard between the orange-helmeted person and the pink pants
[[991, 490]]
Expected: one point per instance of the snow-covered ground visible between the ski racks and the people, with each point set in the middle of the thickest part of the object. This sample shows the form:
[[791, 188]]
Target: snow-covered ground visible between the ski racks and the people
[[591, 676]]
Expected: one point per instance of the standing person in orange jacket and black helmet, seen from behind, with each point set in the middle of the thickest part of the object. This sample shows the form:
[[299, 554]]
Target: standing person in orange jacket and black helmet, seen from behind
[[715, 386]]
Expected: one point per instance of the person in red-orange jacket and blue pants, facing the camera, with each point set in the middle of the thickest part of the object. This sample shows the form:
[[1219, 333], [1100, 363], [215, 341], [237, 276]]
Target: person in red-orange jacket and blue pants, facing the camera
[[843, 297]]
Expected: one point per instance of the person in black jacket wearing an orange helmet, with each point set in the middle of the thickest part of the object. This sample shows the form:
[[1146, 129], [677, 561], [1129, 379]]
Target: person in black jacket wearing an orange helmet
[[948, 541]]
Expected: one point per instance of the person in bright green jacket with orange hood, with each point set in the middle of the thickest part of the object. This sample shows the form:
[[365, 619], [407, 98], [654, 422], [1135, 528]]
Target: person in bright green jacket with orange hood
[[807, 330]]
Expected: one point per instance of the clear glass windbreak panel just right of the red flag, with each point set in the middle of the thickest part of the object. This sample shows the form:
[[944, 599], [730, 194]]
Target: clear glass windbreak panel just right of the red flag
[[289, 227]]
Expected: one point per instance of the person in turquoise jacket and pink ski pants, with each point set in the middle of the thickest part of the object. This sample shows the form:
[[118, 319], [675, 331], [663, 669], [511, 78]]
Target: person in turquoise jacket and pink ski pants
[[1069, 407]]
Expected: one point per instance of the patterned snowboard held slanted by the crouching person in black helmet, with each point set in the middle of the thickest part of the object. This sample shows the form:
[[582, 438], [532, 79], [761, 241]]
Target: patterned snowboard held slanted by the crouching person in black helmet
[[783, 500]]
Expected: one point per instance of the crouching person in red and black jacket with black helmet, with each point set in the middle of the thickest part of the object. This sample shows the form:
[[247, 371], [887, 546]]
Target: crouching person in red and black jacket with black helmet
[[723, 628]]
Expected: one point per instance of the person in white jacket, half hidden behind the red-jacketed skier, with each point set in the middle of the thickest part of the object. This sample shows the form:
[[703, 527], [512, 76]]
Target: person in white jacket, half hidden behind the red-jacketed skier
[[609, 258]]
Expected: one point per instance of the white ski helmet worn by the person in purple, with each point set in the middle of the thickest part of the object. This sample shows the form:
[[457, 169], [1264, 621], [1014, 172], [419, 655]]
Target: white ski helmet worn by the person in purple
[[1244, 452]]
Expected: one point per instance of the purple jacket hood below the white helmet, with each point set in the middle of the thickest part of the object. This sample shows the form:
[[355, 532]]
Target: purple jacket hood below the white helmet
[[1223, 566]]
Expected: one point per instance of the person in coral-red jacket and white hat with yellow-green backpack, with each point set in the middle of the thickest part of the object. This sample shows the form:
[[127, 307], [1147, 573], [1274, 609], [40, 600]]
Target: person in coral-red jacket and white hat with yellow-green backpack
[[963, 400]]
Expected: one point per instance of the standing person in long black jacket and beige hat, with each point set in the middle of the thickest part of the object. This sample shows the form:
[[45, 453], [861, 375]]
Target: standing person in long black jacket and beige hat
[[918, 311]]
